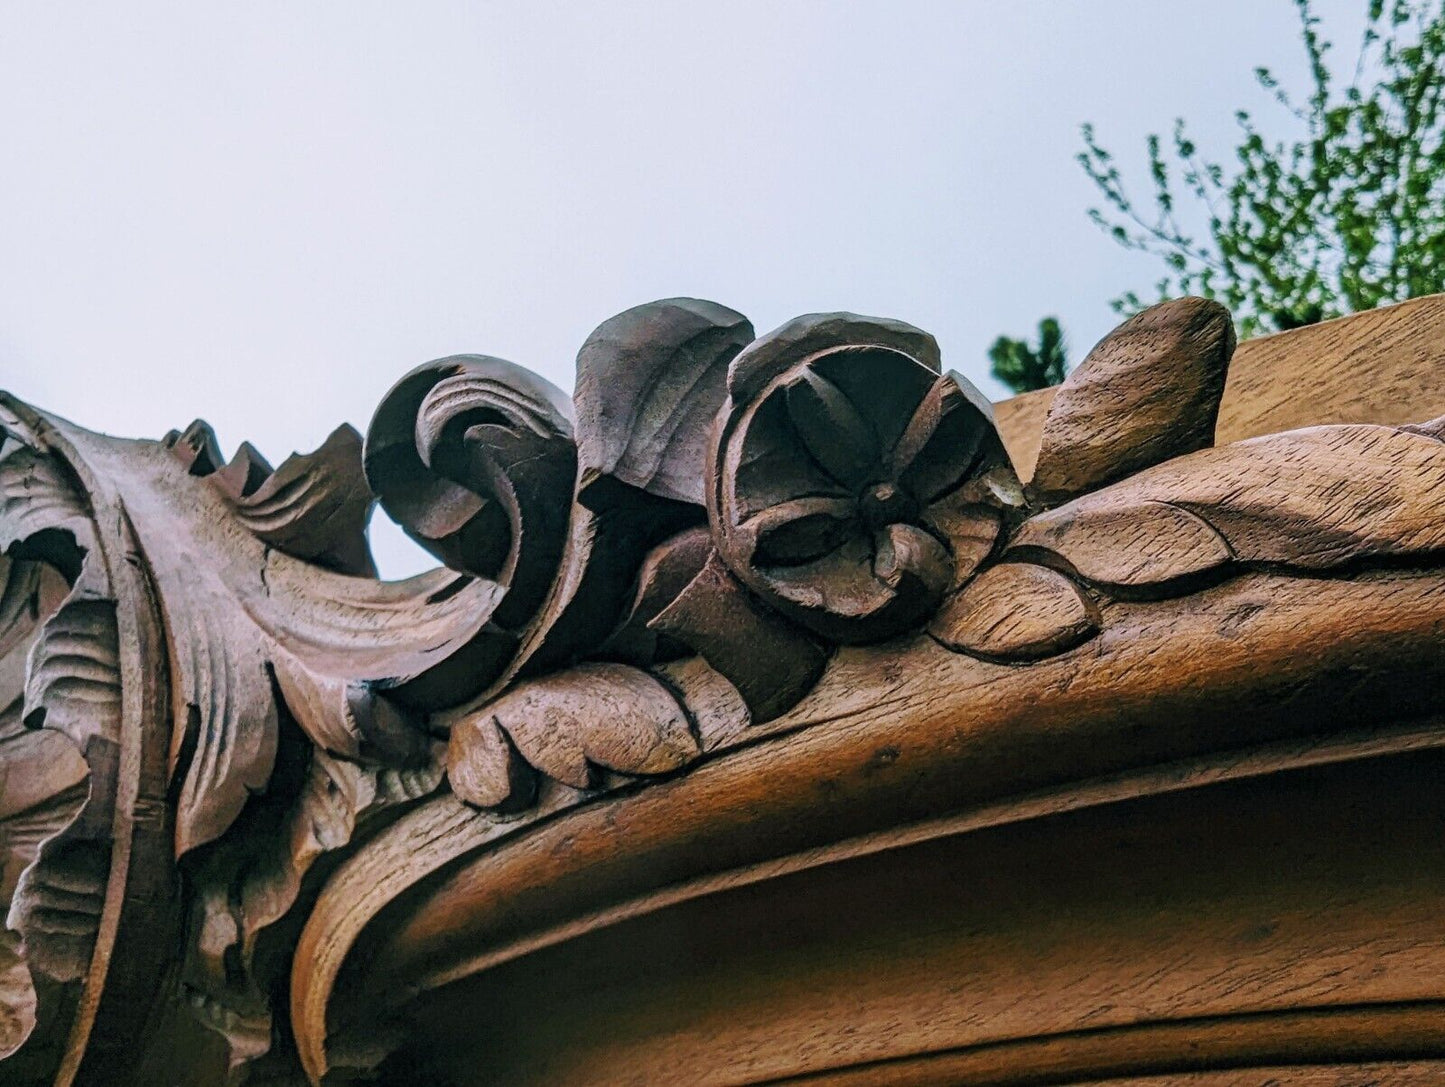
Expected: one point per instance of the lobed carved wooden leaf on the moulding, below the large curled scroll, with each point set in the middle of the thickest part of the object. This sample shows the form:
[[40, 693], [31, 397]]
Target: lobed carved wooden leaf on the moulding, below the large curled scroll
[[595, 715]]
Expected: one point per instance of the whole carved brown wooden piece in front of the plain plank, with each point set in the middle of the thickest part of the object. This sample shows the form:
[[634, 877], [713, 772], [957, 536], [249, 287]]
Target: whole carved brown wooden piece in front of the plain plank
[[756, 650]]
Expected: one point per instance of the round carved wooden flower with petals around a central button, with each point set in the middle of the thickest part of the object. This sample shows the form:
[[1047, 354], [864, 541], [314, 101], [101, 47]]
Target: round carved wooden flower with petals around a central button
[[855, 484]]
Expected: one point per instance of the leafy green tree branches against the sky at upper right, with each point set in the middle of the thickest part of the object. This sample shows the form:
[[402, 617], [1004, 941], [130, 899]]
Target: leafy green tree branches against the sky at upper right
[[1347, 216]]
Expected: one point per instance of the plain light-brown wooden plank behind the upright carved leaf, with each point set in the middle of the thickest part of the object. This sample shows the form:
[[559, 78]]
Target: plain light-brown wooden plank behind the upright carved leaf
[[1384, 368]]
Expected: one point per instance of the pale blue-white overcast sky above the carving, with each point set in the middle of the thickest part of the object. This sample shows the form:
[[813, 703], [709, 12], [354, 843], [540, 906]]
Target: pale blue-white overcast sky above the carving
[[265, 213]]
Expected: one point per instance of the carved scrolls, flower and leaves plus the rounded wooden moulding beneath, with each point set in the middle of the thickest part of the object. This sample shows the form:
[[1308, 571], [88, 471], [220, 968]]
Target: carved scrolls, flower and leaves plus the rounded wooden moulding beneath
[[741, 608]]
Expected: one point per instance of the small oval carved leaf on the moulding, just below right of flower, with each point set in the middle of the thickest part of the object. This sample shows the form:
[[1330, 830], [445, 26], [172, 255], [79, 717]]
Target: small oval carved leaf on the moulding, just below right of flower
[[1017, 612]]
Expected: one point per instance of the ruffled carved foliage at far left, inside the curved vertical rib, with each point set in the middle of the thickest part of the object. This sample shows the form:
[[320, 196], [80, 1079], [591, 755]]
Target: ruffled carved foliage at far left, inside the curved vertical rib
[[60, 735]]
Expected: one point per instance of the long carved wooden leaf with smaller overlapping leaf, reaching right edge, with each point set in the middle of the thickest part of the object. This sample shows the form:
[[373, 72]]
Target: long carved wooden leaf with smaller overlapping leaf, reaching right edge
[[1308, 499]]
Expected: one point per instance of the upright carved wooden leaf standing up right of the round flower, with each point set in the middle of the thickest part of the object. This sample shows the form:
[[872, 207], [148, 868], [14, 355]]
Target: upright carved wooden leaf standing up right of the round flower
[[1148, 392]]
